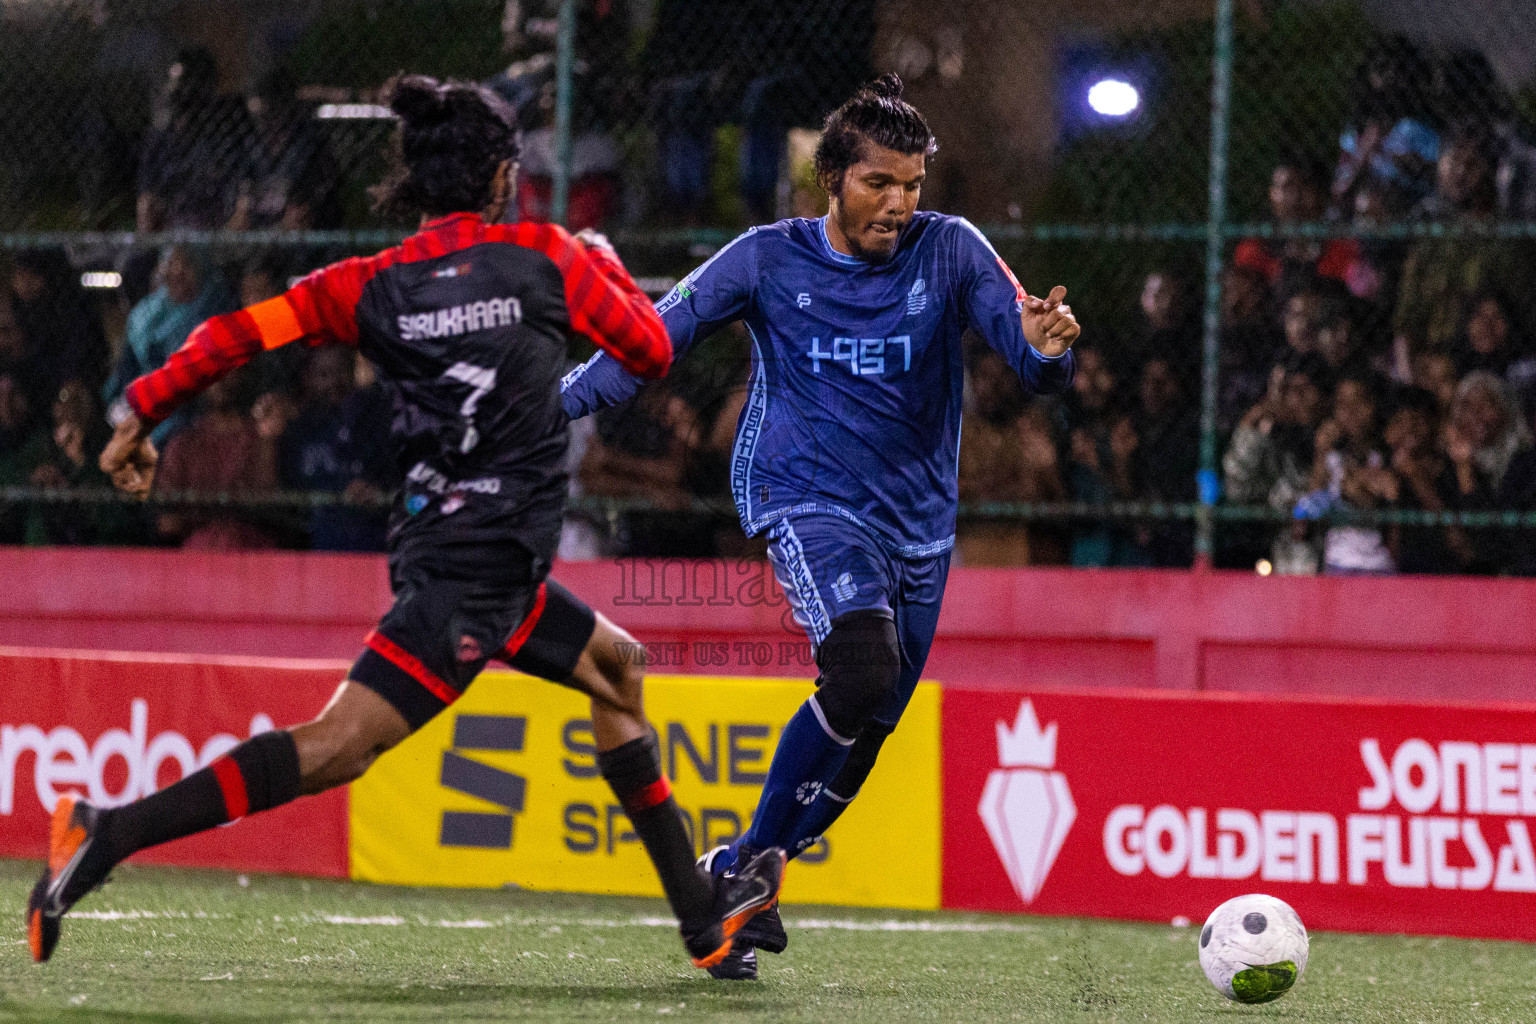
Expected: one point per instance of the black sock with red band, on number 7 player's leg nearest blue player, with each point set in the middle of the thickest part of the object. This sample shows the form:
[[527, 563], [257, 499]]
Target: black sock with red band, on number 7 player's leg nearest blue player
[[635, 775]]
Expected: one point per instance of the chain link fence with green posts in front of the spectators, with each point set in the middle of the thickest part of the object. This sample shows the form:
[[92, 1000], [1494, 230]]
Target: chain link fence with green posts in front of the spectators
[[1300, 237]]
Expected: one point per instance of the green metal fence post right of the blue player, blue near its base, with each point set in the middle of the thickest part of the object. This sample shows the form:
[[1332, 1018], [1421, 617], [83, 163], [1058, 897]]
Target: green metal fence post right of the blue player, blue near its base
[[1208, 481]]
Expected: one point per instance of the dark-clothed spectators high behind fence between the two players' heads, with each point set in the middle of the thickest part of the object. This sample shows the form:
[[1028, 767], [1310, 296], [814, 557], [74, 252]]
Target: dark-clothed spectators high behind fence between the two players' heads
[[755, 68]]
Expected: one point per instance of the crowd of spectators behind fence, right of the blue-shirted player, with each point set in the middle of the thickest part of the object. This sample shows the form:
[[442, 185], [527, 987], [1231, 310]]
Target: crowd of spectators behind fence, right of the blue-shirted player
[[1357, 374]]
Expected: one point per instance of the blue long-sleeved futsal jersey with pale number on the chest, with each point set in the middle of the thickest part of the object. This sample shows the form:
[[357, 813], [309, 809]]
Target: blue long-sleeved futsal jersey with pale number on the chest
[[858, 371]]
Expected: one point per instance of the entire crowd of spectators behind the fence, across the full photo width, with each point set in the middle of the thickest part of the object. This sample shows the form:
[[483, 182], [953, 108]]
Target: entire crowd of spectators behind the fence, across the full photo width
[[1368, 374]]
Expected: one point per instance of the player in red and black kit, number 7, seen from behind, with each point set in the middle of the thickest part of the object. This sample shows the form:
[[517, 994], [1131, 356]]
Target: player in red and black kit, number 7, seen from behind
[[468, 323]]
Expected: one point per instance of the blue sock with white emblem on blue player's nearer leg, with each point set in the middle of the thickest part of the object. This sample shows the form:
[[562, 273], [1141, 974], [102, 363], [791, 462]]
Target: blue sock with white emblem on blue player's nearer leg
[[807, 759]]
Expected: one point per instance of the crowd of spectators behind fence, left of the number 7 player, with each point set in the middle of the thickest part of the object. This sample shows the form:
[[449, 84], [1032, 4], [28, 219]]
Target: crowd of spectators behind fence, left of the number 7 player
[[294, 420]]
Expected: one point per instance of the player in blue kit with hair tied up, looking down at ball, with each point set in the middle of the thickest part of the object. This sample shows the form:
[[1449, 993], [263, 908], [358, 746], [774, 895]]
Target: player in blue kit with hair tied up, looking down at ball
[[849, 443]]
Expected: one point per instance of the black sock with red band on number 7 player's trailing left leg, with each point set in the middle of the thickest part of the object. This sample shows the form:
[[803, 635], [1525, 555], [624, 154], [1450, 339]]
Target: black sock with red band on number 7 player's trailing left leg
[[257, 776]]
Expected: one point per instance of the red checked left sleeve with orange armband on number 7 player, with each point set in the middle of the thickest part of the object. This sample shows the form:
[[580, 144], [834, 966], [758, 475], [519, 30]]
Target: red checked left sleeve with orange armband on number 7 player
[[320, 308]]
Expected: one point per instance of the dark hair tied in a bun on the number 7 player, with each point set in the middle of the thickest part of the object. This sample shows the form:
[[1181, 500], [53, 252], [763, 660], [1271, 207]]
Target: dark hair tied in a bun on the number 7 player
[[451, 140]]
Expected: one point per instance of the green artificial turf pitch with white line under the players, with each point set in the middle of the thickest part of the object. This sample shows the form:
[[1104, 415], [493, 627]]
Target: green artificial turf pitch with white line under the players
[[162, 945]]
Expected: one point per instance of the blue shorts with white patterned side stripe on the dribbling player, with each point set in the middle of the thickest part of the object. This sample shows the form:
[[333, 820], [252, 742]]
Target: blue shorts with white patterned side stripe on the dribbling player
[[830, 567]]
